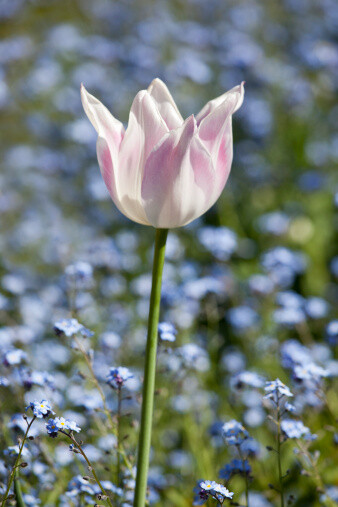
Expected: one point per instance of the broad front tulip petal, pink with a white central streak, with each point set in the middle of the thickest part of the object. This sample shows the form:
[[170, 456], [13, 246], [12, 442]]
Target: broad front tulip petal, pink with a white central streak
[[179, 179]]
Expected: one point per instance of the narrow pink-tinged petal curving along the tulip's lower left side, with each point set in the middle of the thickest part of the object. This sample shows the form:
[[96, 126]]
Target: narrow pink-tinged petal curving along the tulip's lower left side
[[109, 174]]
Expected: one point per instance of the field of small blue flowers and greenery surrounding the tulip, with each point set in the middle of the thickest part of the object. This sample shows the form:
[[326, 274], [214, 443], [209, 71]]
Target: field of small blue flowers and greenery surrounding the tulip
[[246, 400]]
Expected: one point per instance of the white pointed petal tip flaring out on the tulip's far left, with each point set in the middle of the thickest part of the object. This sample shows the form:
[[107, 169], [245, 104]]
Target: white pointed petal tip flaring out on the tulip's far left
[[103, 121]]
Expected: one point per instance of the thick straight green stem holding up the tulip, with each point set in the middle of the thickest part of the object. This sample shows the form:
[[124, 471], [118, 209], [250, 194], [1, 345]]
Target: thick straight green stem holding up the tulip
[[149, 370]]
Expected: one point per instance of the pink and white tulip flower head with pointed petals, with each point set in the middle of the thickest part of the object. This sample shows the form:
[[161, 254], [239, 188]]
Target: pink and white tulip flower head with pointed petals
[[163, 171]]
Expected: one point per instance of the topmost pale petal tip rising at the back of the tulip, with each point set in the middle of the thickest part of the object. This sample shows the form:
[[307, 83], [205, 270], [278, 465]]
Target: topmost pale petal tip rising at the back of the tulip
[[165, 104]]
